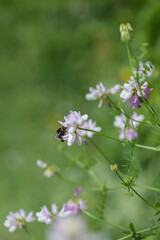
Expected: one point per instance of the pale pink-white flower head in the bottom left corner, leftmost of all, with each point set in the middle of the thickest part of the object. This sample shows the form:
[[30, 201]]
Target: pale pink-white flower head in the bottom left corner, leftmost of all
[[18, 220]]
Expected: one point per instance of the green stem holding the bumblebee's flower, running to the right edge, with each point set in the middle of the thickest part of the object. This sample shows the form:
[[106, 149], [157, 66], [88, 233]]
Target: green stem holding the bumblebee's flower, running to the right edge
[[115, 139]]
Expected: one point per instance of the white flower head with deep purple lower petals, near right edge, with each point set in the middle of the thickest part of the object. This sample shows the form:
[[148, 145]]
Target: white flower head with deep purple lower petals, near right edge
[[132, 93]]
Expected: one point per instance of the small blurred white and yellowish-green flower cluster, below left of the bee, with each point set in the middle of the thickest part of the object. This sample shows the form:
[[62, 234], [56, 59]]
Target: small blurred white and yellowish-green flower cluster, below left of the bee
[[50, 170]]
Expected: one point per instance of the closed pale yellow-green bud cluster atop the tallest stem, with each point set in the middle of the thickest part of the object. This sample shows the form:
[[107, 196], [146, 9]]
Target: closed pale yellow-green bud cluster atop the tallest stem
[[125, 31]]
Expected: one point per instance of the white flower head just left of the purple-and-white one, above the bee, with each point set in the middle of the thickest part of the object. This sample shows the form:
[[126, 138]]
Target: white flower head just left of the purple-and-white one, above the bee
[[101, 93]]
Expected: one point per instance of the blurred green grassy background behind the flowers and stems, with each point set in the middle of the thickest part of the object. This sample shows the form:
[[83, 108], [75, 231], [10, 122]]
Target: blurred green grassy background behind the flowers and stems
[[50, 53]]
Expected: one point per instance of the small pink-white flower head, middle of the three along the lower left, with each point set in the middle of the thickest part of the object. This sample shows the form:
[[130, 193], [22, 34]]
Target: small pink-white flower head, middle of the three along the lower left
[[45, 215]]
